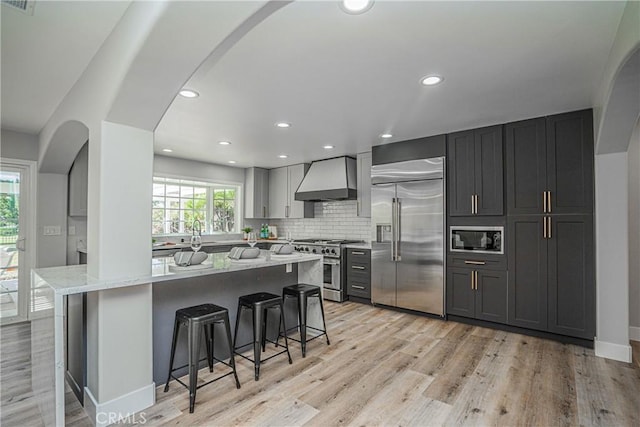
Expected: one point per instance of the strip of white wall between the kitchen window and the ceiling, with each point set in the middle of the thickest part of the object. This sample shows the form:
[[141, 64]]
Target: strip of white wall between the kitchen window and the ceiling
[[180, 168]]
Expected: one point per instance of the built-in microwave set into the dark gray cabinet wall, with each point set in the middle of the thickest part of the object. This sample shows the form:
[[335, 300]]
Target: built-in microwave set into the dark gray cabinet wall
[[484, 240]]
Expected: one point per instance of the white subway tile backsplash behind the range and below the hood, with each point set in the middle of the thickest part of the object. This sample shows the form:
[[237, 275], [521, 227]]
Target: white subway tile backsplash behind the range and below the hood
[[333, 220]]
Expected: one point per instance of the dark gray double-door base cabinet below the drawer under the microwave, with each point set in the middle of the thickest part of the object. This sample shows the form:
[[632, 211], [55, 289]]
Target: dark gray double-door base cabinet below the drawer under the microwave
[[477, 293]]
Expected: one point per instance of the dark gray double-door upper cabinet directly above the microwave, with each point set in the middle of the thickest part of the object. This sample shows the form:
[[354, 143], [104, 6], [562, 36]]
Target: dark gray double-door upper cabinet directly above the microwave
[[475, 172]]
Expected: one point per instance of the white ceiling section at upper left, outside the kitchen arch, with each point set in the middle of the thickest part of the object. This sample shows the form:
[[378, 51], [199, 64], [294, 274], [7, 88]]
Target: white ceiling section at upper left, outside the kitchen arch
[[45, 53]]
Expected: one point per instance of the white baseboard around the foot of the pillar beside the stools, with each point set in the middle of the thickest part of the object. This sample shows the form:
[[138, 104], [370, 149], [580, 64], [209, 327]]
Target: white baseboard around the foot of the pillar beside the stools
[[121, 408]]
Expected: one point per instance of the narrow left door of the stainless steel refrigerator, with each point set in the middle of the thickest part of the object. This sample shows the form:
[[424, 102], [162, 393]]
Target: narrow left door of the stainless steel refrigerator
[[383, 267]]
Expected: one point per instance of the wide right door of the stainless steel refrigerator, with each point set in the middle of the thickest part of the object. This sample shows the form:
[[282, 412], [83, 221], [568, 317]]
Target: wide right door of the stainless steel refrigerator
[[420, 247]]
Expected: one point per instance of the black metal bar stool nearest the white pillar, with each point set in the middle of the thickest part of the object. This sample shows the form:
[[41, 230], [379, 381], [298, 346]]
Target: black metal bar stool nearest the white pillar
[[196, 319]]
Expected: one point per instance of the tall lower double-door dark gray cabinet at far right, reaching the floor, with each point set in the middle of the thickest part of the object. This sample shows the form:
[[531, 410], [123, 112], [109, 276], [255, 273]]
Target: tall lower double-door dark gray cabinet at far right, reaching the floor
[[551, 274]]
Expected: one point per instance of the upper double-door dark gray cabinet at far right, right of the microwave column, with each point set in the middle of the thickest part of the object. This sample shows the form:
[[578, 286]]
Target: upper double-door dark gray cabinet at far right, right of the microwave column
[[550, 165]]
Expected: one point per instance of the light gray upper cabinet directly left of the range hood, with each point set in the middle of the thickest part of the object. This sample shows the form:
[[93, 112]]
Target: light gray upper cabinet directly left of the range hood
[[283, 183]]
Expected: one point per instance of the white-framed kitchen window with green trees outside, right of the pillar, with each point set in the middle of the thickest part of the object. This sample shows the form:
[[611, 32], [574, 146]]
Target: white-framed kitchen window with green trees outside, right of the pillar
[[177, 203]]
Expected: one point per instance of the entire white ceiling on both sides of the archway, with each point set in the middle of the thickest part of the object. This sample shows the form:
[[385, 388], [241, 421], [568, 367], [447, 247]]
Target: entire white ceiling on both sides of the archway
[[339, 79]]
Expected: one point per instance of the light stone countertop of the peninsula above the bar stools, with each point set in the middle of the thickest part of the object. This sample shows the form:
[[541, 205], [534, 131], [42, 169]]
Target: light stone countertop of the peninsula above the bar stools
[[68, 280]]
